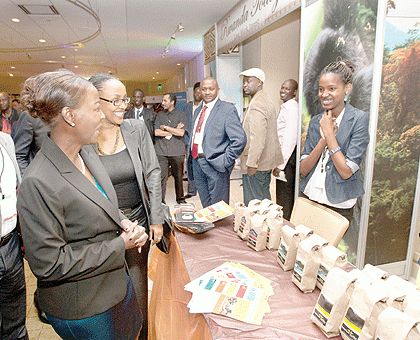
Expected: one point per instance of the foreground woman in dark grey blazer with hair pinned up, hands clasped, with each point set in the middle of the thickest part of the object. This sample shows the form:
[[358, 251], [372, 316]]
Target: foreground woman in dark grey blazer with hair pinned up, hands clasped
[[75, 237]]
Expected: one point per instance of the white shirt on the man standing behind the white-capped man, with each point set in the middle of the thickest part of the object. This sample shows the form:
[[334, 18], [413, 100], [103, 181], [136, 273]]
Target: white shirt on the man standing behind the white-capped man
[[287, 129]]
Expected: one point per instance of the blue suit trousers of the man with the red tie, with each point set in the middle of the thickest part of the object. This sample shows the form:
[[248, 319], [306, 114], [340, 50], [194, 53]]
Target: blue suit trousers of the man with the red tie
[[212, 186]]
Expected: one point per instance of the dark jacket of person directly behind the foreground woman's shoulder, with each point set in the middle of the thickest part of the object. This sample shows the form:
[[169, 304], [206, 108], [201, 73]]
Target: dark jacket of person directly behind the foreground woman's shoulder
[[30, 133]]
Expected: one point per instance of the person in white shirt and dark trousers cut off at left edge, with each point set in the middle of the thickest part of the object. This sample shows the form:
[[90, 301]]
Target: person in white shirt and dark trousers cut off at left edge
[[12, 275]]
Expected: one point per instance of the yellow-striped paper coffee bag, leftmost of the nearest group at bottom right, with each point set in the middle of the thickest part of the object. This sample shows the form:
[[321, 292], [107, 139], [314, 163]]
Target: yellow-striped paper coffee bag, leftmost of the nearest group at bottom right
[[333, 301]]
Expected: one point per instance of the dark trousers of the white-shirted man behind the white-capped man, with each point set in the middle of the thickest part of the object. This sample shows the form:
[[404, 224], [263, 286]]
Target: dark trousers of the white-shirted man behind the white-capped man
[[285, 191]]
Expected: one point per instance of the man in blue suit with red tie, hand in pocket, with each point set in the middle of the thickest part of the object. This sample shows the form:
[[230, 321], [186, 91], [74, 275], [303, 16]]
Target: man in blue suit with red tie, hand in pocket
[[216, 141]]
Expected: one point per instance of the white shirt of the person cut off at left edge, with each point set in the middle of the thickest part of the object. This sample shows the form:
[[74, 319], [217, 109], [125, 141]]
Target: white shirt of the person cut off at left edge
[[8, 193]]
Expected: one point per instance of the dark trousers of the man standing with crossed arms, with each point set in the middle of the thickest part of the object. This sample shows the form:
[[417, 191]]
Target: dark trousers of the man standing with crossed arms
[[177, 166]]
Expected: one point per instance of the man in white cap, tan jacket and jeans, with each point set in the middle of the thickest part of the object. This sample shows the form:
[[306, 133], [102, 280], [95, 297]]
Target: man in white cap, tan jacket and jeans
[[262, 152]]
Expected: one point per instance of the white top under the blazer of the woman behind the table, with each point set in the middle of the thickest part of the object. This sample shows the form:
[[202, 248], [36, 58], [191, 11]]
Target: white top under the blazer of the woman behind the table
[[315, 189]]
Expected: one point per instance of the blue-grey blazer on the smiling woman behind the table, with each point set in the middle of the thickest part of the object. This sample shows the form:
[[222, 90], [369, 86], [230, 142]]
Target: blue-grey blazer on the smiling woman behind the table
[[353, 138]]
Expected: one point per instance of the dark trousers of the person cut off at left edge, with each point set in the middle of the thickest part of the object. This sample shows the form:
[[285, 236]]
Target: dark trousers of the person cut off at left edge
[[12, 291]]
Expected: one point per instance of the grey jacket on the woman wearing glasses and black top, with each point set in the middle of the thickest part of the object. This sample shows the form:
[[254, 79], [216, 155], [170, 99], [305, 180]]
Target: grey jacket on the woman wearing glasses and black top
[[143, 155]]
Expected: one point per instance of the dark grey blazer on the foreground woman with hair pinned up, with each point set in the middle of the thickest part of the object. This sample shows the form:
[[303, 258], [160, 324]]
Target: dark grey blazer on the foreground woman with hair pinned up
[[70, 231]]
